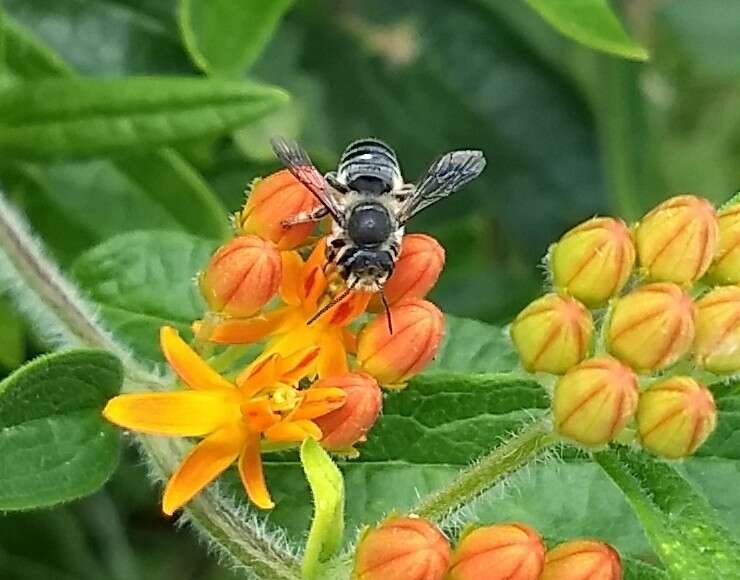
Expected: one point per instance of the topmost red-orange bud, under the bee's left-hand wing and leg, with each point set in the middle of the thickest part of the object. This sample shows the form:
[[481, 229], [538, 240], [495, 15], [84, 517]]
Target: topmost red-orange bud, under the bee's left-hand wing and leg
[[272, 200]]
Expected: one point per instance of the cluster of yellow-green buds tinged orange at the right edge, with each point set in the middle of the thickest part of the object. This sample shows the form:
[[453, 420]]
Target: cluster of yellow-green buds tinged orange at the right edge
[[665, 293]]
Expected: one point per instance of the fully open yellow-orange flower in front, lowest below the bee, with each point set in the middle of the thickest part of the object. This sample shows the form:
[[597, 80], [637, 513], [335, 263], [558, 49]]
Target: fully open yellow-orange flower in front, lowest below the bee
[[233, 418]]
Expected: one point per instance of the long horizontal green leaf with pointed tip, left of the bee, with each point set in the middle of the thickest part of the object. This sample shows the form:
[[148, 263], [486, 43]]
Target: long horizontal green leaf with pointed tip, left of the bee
[[84, 117]]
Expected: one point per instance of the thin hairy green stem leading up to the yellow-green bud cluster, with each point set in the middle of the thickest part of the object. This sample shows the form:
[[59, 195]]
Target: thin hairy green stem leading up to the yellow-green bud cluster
[[517, 452]]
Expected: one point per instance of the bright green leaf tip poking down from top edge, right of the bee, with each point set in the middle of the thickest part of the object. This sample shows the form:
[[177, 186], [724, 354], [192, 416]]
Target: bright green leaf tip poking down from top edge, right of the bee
[[590, 22]]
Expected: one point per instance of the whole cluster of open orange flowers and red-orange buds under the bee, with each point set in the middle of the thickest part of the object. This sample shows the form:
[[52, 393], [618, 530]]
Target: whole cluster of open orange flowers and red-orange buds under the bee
[[320, 380]]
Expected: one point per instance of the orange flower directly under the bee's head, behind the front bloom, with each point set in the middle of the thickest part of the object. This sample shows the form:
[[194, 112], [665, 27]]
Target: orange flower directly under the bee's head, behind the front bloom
[[305, 289]]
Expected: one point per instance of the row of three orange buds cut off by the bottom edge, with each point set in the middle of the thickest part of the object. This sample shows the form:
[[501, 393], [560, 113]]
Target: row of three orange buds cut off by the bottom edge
[[411, 548]]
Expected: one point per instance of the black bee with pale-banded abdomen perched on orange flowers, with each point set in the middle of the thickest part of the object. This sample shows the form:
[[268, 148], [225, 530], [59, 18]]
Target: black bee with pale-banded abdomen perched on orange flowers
[[370, 204]]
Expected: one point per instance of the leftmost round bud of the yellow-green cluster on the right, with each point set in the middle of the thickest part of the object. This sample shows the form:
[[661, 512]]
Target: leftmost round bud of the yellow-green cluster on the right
[[552, 334]]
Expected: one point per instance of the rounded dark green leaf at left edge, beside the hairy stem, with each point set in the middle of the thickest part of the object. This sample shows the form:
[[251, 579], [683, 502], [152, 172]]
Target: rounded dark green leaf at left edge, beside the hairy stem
[[55, 445]]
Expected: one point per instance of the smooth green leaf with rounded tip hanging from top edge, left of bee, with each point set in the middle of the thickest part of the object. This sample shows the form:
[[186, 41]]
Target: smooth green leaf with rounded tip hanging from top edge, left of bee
[[225, 37]]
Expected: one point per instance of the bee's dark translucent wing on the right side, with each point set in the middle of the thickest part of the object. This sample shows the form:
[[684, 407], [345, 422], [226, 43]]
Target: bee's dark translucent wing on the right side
[[446, 175]]
